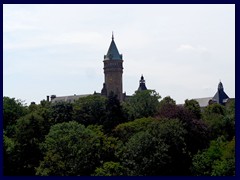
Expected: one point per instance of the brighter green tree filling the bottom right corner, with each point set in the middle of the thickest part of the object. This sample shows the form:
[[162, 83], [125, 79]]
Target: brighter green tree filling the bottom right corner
[[217, 160]]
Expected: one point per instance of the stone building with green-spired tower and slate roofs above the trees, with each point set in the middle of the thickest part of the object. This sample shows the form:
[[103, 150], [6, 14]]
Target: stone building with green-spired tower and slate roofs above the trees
[[113, 82]]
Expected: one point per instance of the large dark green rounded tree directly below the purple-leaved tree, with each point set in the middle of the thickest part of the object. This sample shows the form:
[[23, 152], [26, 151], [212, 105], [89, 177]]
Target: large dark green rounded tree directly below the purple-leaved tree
[[160, 150]]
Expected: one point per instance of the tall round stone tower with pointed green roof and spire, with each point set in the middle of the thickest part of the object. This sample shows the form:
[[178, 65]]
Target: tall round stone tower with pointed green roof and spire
[[113, 70]]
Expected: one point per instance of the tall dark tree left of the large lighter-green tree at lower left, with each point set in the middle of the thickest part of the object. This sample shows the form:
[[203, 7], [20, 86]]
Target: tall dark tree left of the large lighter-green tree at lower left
[[30, 132]]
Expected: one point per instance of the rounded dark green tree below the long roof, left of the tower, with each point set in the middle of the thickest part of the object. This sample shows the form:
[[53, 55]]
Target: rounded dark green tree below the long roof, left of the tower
[[90, 110]]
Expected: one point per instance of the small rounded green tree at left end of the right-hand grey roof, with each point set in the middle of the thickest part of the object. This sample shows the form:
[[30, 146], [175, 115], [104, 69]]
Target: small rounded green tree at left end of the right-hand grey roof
[[193, 106]]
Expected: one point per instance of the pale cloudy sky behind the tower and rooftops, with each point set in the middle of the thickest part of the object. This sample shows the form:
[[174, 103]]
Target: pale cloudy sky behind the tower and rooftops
[[183, 51]]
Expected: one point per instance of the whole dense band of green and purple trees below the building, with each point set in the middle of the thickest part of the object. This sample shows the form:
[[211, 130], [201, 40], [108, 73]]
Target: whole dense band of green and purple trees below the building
[[101, 136]]
